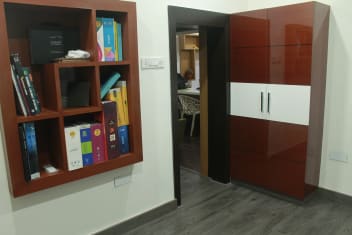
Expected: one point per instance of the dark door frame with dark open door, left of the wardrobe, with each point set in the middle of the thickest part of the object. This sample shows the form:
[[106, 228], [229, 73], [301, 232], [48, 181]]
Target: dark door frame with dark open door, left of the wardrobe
[[213, 35]]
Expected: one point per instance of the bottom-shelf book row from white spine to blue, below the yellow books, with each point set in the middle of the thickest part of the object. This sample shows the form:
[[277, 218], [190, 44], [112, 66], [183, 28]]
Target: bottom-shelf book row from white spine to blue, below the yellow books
[[91, 143]]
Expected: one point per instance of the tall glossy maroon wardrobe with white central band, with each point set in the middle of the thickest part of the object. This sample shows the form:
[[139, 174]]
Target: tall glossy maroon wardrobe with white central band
[[277, 89]]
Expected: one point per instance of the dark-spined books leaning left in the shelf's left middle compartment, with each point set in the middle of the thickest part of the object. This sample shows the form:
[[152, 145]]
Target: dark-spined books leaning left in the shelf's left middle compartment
[[26, 95]]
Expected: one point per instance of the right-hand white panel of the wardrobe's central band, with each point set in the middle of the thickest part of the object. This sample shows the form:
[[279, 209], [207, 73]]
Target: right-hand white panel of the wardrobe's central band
[[288, 103]]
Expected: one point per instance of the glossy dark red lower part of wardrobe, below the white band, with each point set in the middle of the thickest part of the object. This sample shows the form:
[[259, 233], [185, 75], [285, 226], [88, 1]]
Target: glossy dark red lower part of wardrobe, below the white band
[[269, 154]]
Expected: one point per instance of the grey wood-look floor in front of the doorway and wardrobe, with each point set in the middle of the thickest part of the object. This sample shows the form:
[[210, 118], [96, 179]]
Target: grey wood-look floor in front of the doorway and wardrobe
[[212, 208]]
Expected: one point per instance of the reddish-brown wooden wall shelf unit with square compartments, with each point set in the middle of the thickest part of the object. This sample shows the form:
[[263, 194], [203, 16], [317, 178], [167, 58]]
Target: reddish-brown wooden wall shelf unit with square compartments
[[16, 18]]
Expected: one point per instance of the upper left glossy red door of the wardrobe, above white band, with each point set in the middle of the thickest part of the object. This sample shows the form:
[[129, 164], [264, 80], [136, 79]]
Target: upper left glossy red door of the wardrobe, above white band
[[249, 47]]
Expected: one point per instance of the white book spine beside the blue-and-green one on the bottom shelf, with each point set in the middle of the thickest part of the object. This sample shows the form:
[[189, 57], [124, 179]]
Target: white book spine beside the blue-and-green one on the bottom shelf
[[73, 148]]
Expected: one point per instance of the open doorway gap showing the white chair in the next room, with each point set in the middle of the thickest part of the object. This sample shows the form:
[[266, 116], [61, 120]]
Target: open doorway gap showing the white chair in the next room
[[189, 92]]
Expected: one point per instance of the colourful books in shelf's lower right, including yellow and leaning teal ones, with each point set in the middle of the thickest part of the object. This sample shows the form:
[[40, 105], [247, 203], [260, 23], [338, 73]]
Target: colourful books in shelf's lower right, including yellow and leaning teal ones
[[107, 137]]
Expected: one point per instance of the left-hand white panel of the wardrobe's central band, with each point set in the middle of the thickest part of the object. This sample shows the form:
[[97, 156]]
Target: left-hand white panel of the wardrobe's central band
[[246, 99]]
